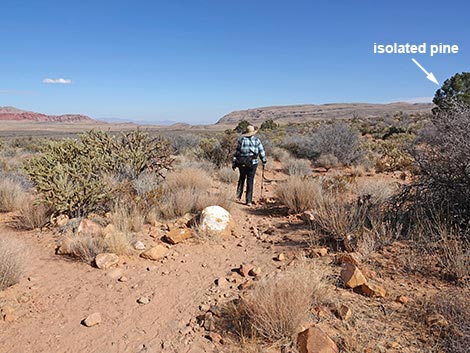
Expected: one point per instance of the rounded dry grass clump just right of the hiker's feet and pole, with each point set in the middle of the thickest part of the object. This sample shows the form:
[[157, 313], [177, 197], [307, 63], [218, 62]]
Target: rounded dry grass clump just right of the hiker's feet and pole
[[298, 194]]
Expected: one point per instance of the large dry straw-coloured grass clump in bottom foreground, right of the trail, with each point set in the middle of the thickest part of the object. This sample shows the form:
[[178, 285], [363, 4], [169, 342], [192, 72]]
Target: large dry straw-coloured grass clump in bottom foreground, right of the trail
[[276, 306]]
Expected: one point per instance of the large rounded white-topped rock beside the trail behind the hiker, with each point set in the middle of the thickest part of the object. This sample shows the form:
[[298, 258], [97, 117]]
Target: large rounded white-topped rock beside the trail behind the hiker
[[216, 222]]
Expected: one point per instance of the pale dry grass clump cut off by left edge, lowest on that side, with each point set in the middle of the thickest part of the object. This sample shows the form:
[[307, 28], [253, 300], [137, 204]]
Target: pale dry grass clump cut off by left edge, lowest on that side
[[11, 262]]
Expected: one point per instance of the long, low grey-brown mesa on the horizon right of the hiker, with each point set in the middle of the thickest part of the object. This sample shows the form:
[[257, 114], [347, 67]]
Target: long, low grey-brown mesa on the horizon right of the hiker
[[310, 112]]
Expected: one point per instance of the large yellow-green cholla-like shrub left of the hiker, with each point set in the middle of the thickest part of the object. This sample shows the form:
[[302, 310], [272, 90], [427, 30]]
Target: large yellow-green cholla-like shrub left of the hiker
[[76, 177]]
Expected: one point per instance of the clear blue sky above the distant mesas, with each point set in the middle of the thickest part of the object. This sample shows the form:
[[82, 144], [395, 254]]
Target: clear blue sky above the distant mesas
[[194, 61]]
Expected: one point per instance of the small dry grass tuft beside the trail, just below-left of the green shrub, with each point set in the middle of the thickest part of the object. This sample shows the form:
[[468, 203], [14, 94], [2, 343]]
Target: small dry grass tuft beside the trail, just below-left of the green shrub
[[31, 215]]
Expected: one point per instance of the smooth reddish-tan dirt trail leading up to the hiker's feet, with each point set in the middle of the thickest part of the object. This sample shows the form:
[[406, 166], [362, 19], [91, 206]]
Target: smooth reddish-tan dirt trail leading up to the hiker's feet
[[56, 294]]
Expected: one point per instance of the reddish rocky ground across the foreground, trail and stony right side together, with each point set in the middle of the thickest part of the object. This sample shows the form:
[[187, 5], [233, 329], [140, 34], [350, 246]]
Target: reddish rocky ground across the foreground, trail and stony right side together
[[170, 304]]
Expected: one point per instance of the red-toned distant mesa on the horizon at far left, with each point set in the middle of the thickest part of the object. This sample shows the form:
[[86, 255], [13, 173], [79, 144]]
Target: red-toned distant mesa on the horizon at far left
[[15, 114]]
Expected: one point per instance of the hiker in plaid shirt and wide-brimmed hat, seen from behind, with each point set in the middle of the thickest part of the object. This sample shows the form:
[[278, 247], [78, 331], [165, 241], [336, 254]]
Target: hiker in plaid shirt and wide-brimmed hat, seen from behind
[[249, 147]]
